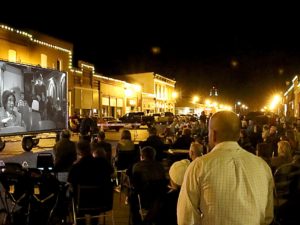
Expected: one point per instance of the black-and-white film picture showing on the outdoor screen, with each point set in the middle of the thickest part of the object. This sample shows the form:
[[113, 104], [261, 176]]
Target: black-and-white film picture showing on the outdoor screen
[[33, 99]]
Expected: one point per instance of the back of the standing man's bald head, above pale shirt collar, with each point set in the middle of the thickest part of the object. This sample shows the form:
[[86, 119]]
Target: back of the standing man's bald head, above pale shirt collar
[[223, 126]]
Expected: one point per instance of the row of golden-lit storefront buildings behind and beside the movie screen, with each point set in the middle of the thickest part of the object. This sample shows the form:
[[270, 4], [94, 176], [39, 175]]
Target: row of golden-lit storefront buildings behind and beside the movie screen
[[88, 91]]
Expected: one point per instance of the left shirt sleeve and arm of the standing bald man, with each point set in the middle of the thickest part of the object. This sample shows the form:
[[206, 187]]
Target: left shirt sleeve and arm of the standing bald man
[[188, 206]]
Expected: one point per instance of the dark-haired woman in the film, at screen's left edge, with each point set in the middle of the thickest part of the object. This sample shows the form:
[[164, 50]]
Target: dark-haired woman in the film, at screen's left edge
[[8, 116]]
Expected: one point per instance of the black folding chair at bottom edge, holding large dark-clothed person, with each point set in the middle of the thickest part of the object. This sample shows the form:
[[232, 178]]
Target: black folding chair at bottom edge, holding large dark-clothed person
[[92, 202]]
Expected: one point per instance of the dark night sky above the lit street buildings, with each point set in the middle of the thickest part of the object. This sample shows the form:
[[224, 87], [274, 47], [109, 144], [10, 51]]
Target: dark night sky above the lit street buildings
[[197, 46]]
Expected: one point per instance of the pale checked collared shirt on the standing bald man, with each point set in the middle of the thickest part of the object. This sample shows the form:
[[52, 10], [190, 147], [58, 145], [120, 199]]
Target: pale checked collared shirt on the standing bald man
[[226, 186]]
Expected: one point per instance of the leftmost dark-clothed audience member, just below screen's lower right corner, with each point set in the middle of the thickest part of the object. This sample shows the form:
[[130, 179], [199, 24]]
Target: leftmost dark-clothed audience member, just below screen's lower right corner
[[64, 152]]
